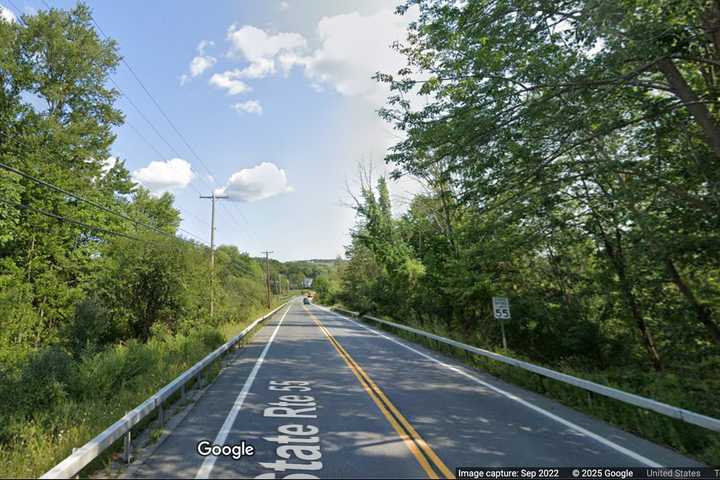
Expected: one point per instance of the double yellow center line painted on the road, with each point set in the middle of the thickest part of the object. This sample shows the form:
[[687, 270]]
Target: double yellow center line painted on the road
[[426, 457]]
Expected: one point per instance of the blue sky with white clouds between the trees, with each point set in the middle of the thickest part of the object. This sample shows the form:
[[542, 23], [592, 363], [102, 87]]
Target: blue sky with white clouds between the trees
[[275, 97]]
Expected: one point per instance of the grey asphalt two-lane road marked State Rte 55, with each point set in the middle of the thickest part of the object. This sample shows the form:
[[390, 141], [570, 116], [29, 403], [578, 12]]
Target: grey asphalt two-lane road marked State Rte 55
[[317, 395]]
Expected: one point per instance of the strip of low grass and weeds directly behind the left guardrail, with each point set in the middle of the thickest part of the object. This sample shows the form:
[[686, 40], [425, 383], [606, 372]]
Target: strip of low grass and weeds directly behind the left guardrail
[[102, 389]]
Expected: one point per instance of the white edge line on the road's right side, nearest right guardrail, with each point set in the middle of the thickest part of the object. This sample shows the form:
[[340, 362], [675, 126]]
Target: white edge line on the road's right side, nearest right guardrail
[[567, 423]]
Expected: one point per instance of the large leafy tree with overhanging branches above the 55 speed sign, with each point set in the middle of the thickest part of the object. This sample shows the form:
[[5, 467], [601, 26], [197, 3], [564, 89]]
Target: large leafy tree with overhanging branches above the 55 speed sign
[[560, 124]]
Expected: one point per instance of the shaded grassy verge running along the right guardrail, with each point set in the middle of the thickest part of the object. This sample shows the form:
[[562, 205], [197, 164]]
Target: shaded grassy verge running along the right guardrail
[[697, 393]]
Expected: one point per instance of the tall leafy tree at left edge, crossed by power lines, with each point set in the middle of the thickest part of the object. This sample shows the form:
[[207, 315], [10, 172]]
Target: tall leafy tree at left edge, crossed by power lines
[[57, 120]]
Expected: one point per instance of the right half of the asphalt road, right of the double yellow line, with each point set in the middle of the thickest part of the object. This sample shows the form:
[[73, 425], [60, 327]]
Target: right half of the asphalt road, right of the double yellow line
[[471, 418]]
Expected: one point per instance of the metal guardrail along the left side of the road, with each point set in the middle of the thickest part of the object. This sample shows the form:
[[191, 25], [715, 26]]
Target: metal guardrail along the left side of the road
[[82, 456]]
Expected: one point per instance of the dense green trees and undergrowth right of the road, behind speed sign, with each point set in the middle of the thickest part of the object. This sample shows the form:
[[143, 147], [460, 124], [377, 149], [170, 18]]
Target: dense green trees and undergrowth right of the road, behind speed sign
[[570, 152]]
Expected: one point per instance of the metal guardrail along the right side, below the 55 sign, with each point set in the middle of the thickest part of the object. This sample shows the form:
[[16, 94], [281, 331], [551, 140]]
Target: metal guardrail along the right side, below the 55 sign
[[643, 402]]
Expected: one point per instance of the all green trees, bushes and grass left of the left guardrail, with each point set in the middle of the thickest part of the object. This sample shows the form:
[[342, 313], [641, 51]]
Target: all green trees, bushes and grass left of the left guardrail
[[92, 320]]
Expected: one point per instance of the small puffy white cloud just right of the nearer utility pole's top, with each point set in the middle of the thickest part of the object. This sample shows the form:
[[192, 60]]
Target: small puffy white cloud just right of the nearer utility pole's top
[[257, 183]]
